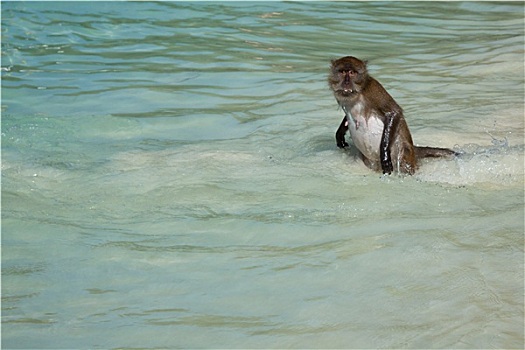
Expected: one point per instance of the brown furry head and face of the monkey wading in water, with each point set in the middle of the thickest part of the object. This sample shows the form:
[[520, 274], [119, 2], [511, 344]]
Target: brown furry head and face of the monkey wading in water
[[347, 77]]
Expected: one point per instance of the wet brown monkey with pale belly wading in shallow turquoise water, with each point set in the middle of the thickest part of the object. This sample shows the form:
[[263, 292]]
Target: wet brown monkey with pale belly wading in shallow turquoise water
[[376, 122]]
